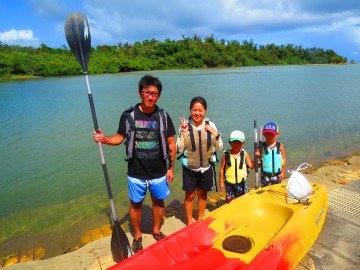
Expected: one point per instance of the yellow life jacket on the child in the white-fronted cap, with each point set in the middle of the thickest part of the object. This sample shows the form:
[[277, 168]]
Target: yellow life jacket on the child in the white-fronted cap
[[235, 169]]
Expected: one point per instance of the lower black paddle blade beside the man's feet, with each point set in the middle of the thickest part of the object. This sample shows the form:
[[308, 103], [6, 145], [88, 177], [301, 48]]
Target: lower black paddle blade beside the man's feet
[[120, 246]]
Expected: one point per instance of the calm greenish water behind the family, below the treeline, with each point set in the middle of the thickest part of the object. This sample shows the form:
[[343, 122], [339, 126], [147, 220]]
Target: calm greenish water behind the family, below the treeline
[[52, 188]]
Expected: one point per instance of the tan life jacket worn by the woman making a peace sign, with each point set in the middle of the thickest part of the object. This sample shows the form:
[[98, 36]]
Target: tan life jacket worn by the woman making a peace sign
[[201, 145]]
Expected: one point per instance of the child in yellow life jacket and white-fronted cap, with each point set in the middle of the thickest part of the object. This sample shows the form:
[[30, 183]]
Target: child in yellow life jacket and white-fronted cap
[[233, 167]]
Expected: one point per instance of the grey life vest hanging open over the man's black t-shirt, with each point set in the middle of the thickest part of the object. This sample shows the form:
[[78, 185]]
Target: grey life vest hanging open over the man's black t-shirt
[[130, 133]]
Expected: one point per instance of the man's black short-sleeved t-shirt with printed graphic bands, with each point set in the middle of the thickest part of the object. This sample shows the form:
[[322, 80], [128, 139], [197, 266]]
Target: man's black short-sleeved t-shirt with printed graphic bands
[[148, 160]]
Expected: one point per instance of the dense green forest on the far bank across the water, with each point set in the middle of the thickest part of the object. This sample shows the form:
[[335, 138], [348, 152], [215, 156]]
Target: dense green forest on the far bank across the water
[[186, 53]]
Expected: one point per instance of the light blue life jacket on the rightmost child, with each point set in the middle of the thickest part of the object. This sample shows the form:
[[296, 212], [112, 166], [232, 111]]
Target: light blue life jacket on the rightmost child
[[271, 159]]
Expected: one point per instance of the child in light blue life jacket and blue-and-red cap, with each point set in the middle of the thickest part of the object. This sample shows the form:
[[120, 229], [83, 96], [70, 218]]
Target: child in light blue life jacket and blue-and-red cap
[[273, 156]]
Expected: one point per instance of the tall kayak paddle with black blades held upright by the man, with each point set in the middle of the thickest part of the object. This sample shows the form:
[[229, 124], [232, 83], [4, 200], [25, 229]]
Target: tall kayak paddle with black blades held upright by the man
[[77, 34]]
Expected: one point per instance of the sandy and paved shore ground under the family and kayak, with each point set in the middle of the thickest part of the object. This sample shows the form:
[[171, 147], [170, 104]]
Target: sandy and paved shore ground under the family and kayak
[[337, 247]]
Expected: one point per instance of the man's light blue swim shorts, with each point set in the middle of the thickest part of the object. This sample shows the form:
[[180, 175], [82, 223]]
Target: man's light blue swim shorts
[[158, 188]]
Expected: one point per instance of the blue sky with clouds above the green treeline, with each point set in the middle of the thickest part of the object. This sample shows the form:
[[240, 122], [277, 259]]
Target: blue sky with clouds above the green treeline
[[327, 24]]
